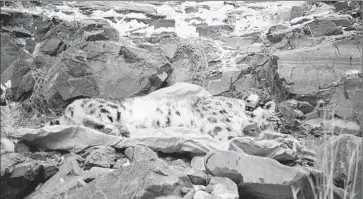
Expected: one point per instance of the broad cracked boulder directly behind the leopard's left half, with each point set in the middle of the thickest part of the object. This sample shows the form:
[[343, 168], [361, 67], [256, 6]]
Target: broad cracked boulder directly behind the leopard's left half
[[107, 69]]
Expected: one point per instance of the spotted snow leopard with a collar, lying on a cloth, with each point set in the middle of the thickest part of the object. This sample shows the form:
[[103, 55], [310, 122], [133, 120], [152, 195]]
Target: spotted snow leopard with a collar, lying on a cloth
[[219, 117]]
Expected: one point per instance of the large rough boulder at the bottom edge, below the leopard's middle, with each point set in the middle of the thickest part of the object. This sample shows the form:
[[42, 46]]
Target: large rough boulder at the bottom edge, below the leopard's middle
[[141, 179]]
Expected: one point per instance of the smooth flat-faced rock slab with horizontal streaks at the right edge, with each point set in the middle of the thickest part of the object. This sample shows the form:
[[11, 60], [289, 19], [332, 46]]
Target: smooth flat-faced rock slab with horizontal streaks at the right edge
[[308, 70]]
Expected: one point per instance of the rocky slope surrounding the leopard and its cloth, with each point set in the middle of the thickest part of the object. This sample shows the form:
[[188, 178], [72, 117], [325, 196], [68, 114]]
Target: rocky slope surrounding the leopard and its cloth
[[307, 57]]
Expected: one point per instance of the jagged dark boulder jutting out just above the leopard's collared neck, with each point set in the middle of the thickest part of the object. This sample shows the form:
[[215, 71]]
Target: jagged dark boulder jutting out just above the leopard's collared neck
[[252, 71]]
